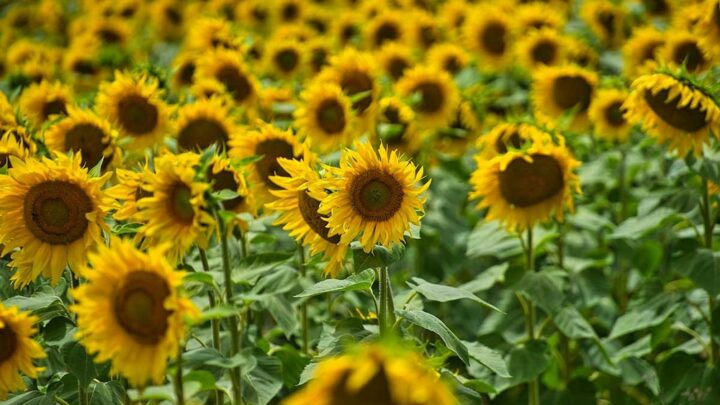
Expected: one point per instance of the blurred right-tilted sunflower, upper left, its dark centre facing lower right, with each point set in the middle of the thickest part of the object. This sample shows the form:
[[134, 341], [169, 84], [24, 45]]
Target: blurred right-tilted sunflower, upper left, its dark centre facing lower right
[[228, 68]]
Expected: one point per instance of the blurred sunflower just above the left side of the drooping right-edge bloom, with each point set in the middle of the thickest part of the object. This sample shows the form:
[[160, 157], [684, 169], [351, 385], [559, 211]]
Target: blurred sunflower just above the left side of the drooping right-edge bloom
[[640, 51]]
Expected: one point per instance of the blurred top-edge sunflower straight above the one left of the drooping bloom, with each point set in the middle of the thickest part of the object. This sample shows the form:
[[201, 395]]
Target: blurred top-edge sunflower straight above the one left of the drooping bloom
[[606, 20]]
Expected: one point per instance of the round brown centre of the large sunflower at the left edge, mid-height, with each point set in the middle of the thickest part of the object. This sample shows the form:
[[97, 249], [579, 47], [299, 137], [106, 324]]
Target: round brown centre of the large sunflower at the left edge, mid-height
[[54, 212]]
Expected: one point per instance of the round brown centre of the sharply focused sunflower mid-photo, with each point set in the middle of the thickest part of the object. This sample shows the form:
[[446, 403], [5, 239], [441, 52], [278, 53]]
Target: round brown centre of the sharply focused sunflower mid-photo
[[376, 195]]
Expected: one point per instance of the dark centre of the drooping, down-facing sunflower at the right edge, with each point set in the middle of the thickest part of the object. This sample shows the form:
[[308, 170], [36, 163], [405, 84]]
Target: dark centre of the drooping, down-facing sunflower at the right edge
[[683, 118]]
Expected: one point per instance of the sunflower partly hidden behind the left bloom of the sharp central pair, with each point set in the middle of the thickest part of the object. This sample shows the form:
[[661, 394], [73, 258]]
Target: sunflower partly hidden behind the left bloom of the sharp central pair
[[271, 143]]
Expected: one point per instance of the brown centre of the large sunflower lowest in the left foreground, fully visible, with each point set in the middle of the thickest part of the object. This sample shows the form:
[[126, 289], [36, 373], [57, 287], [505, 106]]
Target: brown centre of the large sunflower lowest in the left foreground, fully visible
[[139, 306]]
